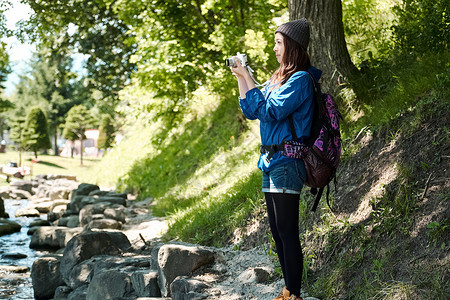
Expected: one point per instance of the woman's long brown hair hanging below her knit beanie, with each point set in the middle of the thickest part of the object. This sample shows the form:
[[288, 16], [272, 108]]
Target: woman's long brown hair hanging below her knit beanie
[[295, 58]]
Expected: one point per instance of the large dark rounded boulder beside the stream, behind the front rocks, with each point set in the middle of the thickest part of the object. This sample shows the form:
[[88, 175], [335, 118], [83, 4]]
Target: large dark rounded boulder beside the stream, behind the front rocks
[[89, 244]]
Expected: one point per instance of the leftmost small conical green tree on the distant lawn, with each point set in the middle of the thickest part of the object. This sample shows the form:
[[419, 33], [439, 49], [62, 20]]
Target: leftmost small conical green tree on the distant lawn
[[35, 136]]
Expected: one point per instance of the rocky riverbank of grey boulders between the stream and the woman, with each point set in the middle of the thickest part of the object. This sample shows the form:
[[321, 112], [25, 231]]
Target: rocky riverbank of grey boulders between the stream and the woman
[[107, 246]]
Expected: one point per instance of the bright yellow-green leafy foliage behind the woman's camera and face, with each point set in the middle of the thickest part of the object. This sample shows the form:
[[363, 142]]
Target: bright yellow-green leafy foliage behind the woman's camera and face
[[182, 44]]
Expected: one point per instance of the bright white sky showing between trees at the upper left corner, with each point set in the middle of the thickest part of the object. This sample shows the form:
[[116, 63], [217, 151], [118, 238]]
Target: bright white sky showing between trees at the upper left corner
[[19, 54]]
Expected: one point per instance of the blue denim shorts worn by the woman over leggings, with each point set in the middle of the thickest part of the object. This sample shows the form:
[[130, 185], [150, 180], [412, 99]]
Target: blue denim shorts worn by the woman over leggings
[[287, 178]]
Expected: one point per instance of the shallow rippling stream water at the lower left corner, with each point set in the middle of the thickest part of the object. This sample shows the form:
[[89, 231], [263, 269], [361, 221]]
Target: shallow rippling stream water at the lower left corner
[[15, 286]]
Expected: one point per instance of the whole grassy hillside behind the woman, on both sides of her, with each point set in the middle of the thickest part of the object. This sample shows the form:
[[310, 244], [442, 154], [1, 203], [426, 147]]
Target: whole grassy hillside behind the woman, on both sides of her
[[388, 234]]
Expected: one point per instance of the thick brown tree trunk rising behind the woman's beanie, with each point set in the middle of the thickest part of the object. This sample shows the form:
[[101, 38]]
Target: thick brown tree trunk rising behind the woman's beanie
[[327, 46]]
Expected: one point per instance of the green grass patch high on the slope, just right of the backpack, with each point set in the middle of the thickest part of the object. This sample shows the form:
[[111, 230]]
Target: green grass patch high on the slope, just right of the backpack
[[389, 88]]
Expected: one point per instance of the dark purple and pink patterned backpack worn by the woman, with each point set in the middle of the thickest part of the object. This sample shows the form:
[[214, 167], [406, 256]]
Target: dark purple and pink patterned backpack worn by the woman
[[321, 152]]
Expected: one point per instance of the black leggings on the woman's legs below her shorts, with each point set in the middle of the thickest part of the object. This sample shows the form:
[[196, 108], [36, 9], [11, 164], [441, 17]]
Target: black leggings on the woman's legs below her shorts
[[283, 218]]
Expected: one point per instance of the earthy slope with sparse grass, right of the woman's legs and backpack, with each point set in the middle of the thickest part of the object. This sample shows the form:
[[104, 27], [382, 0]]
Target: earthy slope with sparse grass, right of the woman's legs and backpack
[[389, 235]]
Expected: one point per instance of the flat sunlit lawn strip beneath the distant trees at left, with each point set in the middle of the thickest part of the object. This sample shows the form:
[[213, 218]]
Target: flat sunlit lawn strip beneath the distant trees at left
[[50, 164]]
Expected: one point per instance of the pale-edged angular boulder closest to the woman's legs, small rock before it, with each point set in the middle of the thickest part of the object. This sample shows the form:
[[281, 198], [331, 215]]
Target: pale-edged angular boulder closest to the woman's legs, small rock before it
[[178, 260]]
